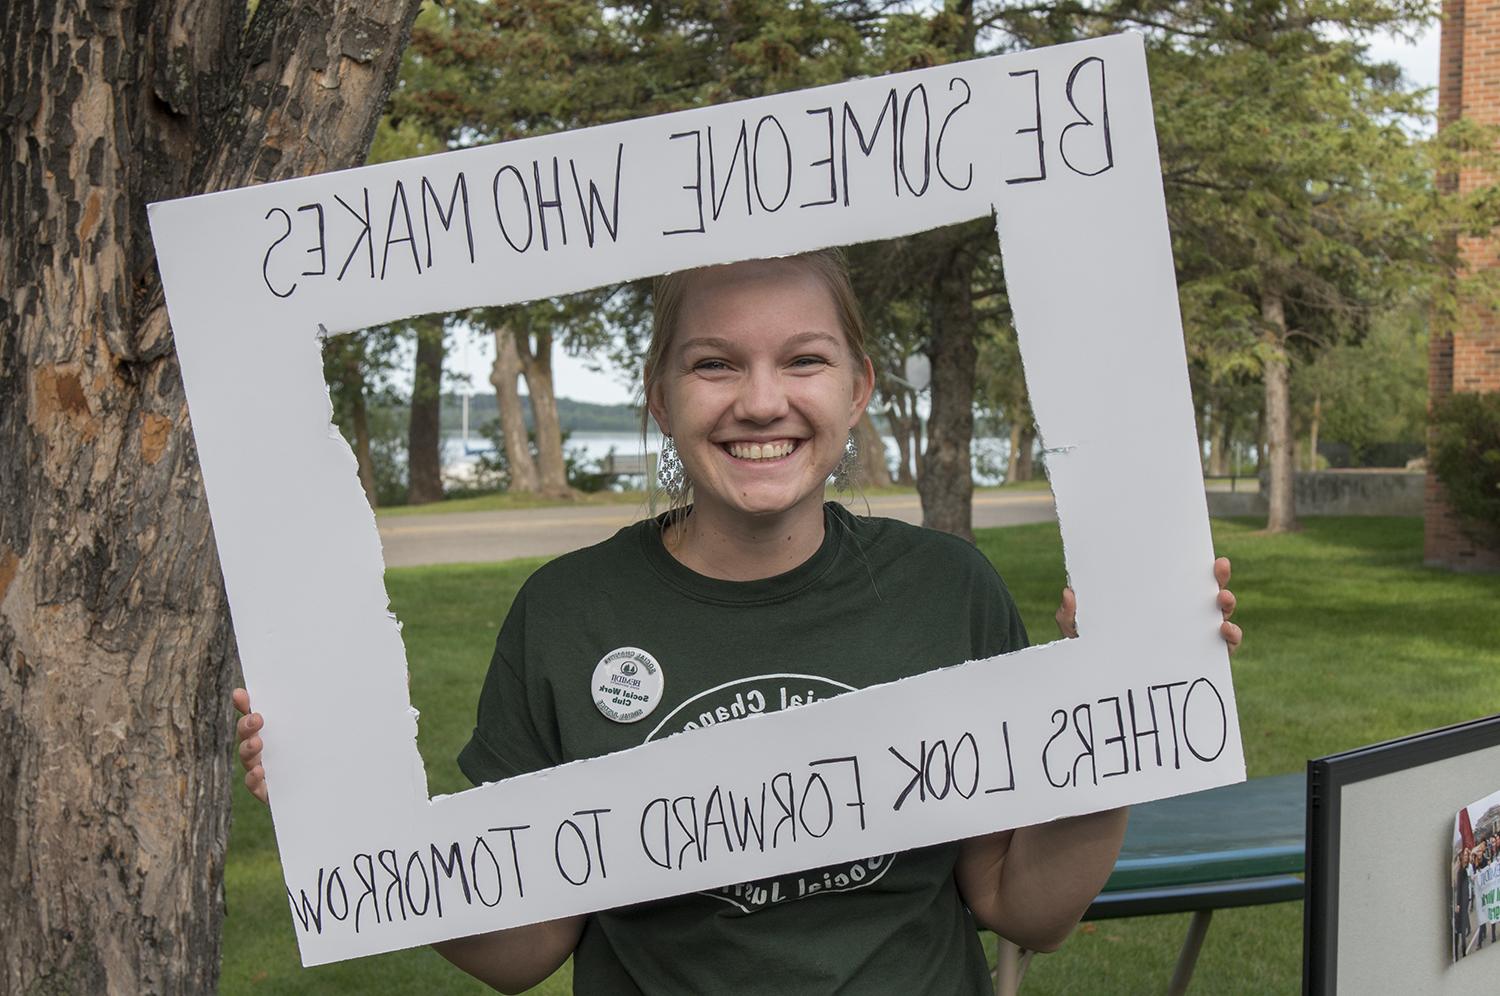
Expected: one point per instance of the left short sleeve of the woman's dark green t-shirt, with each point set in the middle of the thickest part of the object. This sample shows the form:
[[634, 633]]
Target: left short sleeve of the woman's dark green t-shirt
[[514, 730]]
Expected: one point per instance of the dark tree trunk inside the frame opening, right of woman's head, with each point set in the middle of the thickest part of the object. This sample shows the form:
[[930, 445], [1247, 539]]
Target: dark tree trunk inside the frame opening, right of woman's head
[[947, 476]]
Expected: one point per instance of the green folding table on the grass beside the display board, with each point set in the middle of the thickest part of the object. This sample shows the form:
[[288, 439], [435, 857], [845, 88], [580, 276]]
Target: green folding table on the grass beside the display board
[[1241, 845]]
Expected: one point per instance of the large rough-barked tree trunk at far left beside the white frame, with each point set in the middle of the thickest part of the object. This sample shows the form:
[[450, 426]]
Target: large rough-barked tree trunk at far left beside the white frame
[[116, 653]]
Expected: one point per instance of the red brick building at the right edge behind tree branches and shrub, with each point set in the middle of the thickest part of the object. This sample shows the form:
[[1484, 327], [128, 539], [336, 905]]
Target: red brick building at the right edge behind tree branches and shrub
[[1466, 358]]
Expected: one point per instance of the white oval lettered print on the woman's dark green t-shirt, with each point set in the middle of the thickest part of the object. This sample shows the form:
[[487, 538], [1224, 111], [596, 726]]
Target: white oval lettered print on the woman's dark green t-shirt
[[748, 697]]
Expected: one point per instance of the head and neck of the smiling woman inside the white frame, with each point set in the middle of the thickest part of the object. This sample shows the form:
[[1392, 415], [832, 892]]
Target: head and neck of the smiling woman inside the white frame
[[757, 374]]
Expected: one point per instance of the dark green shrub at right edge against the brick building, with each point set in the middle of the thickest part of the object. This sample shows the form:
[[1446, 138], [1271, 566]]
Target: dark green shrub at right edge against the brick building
[[1466, 458]]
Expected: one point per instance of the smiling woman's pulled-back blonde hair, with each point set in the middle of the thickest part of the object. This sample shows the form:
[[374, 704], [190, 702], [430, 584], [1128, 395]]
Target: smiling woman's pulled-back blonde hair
[[668, 293]]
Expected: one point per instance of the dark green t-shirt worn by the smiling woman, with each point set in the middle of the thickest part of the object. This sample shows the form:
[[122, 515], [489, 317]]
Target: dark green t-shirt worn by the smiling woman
[[880, 601]]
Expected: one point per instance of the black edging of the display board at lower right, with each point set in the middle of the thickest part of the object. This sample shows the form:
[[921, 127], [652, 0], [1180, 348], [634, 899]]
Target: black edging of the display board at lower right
[[1327, 779]]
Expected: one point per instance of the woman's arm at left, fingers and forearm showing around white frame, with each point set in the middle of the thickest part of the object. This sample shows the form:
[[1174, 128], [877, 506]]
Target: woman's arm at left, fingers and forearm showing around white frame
[[511, 961]]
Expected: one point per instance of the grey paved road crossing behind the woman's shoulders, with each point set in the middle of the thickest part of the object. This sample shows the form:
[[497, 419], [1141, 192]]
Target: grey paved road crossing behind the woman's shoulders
[[496, 536]]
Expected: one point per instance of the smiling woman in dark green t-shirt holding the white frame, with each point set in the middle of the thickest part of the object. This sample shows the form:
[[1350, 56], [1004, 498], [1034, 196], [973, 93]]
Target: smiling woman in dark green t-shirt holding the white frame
[[755, 595]]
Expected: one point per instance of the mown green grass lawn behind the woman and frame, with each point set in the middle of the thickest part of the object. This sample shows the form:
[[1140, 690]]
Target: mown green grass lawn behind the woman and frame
[[1349, 641]]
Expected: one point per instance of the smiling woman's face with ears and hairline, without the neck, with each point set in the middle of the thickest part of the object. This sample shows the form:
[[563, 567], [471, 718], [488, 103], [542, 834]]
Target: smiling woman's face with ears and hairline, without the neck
[[760, 389]]
